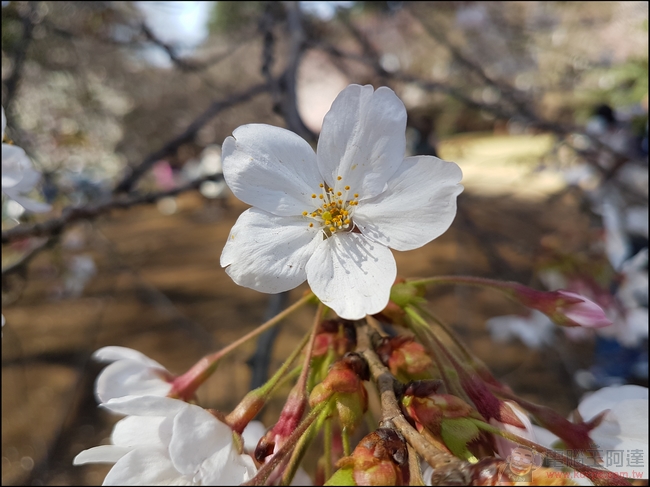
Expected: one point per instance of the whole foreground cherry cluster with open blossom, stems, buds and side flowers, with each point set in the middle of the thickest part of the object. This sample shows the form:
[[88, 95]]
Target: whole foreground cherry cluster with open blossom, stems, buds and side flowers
[[331, 218]]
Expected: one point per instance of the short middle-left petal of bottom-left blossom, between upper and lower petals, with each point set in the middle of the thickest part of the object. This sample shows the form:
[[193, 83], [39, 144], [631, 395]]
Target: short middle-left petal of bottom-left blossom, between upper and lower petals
[[141, 431]]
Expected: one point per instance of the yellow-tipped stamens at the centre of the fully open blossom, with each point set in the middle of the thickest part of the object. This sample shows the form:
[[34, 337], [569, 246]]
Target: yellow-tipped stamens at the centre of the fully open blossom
[[334, 213]]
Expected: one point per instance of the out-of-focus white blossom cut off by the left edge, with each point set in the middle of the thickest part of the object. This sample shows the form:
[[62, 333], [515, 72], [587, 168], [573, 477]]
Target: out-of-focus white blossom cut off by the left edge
[[18, 175]]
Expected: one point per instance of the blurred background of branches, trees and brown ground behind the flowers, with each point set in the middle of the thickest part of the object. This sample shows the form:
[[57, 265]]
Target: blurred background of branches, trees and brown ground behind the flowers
[[123, 106]]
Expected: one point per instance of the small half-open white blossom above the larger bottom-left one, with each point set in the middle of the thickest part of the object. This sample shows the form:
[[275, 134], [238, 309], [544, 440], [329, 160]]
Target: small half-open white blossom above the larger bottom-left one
[[131, 374]]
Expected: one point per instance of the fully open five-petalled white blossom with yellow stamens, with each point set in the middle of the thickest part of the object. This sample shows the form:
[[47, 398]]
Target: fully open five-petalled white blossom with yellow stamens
[[331, 217]]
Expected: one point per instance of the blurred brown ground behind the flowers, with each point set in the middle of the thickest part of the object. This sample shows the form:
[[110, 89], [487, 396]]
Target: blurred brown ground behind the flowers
[[160, 290]]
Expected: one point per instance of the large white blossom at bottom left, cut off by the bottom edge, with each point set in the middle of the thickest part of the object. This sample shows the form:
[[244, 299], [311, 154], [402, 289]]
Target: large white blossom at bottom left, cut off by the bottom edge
[[165, 441]]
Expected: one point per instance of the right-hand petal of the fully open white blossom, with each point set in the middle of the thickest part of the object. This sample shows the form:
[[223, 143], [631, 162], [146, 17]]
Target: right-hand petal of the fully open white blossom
[[418, 205]]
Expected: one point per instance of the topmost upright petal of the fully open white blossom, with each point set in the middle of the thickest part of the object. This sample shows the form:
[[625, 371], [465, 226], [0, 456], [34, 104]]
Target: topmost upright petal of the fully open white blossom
[[363, 139]]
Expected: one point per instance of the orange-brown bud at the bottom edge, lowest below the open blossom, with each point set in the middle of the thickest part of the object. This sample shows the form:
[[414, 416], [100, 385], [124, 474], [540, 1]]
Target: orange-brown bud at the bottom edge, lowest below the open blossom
[[380, 458]]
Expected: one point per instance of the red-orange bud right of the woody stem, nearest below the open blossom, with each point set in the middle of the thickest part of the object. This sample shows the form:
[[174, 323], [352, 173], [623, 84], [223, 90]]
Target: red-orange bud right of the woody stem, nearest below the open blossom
[[406, 358]]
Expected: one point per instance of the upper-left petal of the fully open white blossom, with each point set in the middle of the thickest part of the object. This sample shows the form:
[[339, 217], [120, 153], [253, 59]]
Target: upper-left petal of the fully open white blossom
[[271, 168]]
